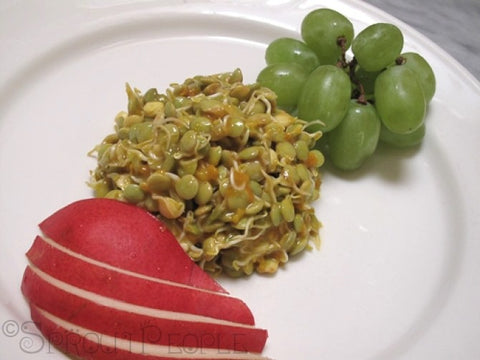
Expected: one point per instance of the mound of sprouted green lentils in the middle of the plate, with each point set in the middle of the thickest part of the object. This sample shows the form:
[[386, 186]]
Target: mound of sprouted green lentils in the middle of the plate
[[231, 175]]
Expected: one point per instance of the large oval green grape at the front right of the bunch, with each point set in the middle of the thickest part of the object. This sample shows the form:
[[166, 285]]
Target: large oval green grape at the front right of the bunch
[[399, 99]]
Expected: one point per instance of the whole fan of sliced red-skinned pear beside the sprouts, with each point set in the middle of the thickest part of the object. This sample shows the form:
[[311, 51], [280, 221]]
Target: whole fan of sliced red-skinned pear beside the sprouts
[[115, 271]]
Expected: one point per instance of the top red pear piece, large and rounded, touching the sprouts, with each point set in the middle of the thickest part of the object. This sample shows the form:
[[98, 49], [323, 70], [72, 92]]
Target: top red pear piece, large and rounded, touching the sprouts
[[125, 236]]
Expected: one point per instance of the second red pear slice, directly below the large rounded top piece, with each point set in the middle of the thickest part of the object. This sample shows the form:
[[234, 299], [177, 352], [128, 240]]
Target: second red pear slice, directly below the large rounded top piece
[[113, 283]]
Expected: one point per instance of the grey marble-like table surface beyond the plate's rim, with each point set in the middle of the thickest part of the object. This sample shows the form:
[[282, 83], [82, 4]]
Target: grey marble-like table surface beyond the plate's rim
[[451, 24]]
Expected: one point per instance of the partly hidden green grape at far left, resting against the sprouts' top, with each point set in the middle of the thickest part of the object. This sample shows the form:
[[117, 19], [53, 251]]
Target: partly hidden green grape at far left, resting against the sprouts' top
[[286, 80]]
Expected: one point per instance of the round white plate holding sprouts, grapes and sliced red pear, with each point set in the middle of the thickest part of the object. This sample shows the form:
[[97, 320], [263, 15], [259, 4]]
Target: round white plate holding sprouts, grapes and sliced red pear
[[397, 275]]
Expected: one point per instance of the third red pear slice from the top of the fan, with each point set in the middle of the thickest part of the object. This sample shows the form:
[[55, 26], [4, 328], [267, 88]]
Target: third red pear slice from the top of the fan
[[121, 320]]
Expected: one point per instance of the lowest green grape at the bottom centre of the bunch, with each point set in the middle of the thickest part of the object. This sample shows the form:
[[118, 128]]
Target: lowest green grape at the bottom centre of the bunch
[[355, 139]]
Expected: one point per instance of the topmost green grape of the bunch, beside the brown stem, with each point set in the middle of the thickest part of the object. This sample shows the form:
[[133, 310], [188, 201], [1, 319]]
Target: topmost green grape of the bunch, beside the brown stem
[[321, 29]]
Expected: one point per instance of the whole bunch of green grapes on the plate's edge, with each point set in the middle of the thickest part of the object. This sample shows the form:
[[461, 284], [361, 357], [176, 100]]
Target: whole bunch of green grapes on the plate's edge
[[376, 94]]
